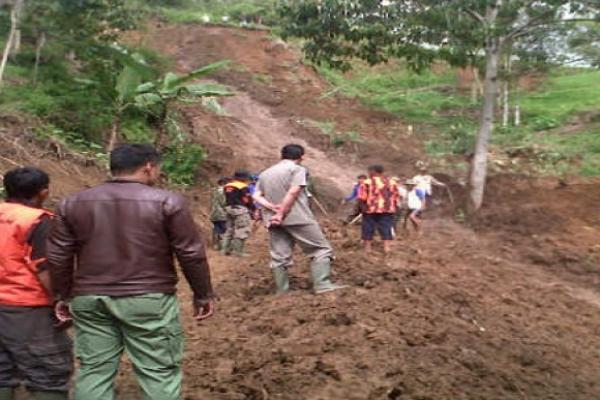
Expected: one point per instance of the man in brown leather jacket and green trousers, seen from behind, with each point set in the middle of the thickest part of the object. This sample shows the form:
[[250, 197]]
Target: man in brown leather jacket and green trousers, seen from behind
[[111, 256]]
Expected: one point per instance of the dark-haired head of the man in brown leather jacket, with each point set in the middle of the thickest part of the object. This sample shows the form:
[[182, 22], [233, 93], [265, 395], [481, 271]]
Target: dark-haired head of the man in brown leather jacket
[[136, 161]]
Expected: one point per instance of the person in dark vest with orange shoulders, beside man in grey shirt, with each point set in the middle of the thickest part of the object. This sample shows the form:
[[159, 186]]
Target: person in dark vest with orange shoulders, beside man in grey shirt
[[239, 208]]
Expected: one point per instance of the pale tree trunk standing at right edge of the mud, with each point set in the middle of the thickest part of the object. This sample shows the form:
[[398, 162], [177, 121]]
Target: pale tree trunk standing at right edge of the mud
[[490, 90]]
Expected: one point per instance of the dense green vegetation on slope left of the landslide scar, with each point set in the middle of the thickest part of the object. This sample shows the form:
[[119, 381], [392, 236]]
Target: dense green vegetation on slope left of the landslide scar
[[87, 93]]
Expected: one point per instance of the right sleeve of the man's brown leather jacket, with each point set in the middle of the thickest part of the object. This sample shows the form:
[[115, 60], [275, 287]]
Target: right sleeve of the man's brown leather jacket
[[188, 247]]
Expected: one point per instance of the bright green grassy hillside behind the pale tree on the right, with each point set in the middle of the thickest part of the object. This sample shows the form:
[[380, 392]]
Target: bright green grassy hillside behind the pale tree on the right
[[448, 118]]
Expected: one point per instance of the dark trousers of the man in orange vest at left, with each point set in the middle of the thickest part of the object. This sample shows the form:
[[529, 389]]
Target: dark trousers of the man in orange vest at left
[[33, 351]]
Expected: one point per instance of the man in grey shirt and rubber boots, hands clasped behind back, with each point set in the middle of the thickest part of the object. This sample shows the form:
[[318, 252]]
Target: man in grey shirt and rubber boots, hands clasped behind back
[[282, 192]]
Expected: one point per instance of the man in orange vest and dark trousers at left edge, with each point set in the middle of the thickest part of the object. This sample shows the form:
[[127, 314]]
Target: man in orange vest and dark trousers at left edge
[[33, 349]]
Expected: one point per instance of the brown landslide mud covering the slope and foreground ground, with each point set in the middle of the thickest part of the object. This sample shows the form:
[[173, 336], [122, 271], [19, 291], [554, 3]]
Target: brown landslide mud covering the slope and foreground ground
[[505, 306]]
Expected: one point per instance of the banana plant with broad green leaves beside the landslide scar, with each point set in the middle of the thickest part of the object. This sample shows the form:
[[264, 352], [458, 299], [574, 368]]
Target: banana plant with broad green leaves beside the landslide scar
[[157, 97]]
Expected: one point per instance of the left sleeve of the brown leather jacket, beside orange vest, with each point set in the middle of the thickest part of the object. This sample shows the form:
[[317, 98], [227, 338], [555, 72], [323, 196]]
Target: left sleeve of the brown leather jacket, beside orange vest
[[61, 248]]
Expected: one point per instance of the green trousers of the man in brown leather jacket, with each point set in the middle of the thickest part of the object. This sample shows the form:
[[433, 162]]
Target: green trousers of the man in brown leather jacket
[[146, 326]]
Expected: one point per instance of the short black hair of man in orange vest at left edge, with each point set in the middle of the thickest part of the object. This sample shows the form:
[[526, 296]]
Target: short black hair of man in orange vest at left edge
[[25, 183]]
